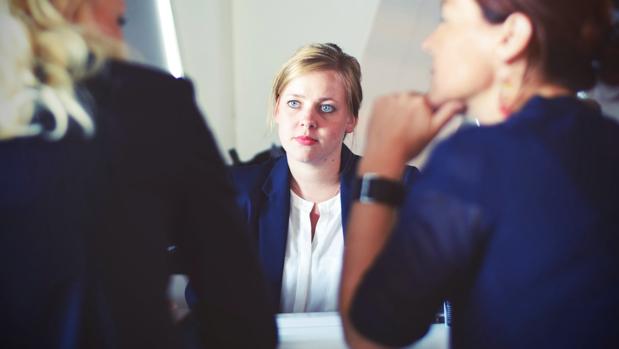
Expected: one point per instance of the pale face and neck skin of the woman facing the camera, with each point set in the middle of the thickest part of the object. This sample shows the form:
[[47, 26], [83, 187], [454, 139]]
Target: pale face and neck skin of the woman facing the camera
[[312, 118]]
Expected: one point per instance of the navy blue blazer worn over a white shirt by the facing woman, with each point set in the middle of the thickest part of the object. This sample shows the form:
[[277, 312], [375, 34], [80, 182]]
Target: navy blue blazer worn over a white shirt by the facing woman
[[264, 198]]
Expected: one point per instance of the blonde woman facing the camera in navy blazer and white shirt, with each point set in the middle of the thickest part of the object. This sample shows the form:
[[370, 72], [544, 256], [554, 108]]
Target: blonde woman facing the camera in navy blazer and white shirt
[[296, 205]]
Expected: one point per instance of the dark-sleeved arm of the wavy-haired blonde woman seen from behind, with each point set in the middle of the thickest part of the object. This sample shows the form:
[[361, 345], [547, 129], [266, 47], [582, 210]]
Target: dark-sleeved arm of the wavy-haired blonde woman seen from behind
[[232, 308]]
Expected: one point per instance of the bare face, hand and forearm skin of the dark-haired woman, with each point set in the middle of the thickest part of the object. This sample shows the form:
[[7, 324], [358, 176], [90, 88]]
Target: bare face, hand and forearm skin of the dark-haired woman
[[402, 124]]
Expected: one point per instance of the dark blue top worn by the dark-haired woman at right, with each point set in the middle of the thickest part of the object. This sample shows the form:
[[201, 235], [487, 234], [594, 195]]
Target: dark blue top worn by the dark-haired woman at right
[[516, 224]]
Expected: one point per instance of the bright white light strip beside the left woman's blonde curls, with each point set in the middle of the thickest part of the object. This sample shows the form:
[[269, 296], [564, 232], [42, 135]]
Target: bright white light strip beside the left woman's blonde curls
[[168, 33]]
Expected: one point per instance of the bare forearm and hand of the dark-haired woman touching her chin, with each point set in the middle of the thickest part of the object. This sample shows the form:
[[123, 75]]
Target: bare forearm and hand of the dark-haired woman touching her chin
[[401, 126]]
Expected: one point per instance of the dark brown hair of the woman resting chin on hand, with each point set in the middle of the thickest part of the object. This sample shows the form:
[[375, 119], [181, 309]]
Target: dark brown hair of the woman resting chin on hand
[[575, 42]]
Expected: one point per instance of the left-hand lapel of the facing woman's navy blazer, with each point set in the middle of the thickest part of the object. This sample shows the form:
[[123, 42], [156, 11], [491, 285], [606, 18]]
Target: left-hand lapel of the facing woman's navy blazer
[[273, 225]]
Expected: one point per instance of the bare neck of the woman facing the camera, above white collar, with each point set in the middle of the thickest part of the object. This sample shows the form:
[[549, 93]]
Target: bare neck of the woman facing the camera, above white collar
[[315, 183]]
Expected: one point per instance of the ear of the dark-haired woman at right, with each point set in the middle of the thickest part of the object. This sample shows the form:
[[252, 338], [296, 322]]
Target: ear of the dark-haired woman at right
[[516, 34]]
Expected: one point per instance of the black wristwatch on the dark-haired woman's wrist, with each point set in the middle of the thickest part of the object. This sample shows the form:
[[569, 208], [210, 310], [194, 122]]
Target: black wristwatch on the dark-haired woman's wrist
[[371, 188]]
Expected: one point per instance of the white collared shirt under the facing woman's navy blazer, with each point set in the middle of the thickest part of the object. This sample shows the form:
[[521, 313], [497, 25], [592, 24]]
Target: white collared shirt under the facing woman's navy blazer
[[312, 267]]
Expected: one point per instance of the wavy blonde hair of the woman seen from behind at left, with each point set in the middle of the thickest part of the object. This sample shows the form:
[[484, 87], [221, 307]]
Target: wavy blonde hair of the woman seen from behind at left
[[43, 56]]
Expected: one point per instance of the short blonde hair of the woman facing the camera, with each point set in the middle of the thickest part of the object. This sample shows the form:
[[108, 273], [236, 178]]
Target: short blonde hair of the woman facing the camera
[[318, 57]]
